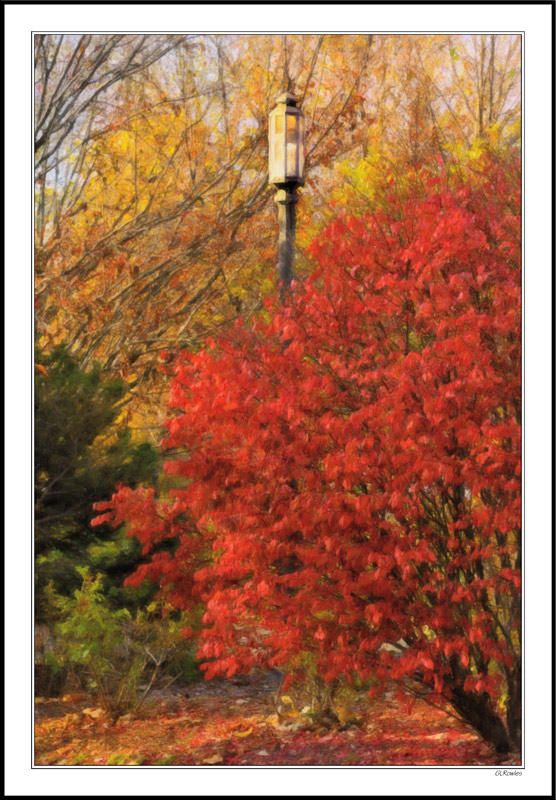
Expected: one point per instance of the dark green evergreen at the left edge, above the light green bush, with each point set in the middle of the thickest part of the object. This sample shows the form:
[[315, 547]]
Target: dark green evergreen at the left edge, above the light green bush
[[82, 448]]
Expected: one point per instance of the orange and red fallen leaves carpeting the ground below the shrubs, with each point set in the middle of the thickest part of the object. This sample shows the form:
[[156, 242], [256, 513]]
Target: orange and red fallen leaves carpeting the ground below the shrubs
[[226, 725]]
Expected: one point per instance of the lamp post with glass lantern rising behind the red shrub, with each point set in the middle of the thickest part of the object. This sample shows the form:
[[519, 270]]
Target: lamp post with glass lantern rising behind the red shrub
[[286, 161]]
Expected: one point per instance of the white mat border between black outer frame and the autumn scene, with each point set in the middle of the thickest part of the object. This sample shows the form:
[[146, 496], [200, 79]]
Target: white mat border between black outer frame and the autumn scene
[[535, 21]]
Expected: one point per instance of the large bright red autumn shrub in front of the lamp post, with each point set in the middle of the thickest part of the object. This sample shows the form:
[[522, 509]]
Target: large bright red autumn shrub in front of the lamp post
[[353, 464]]
